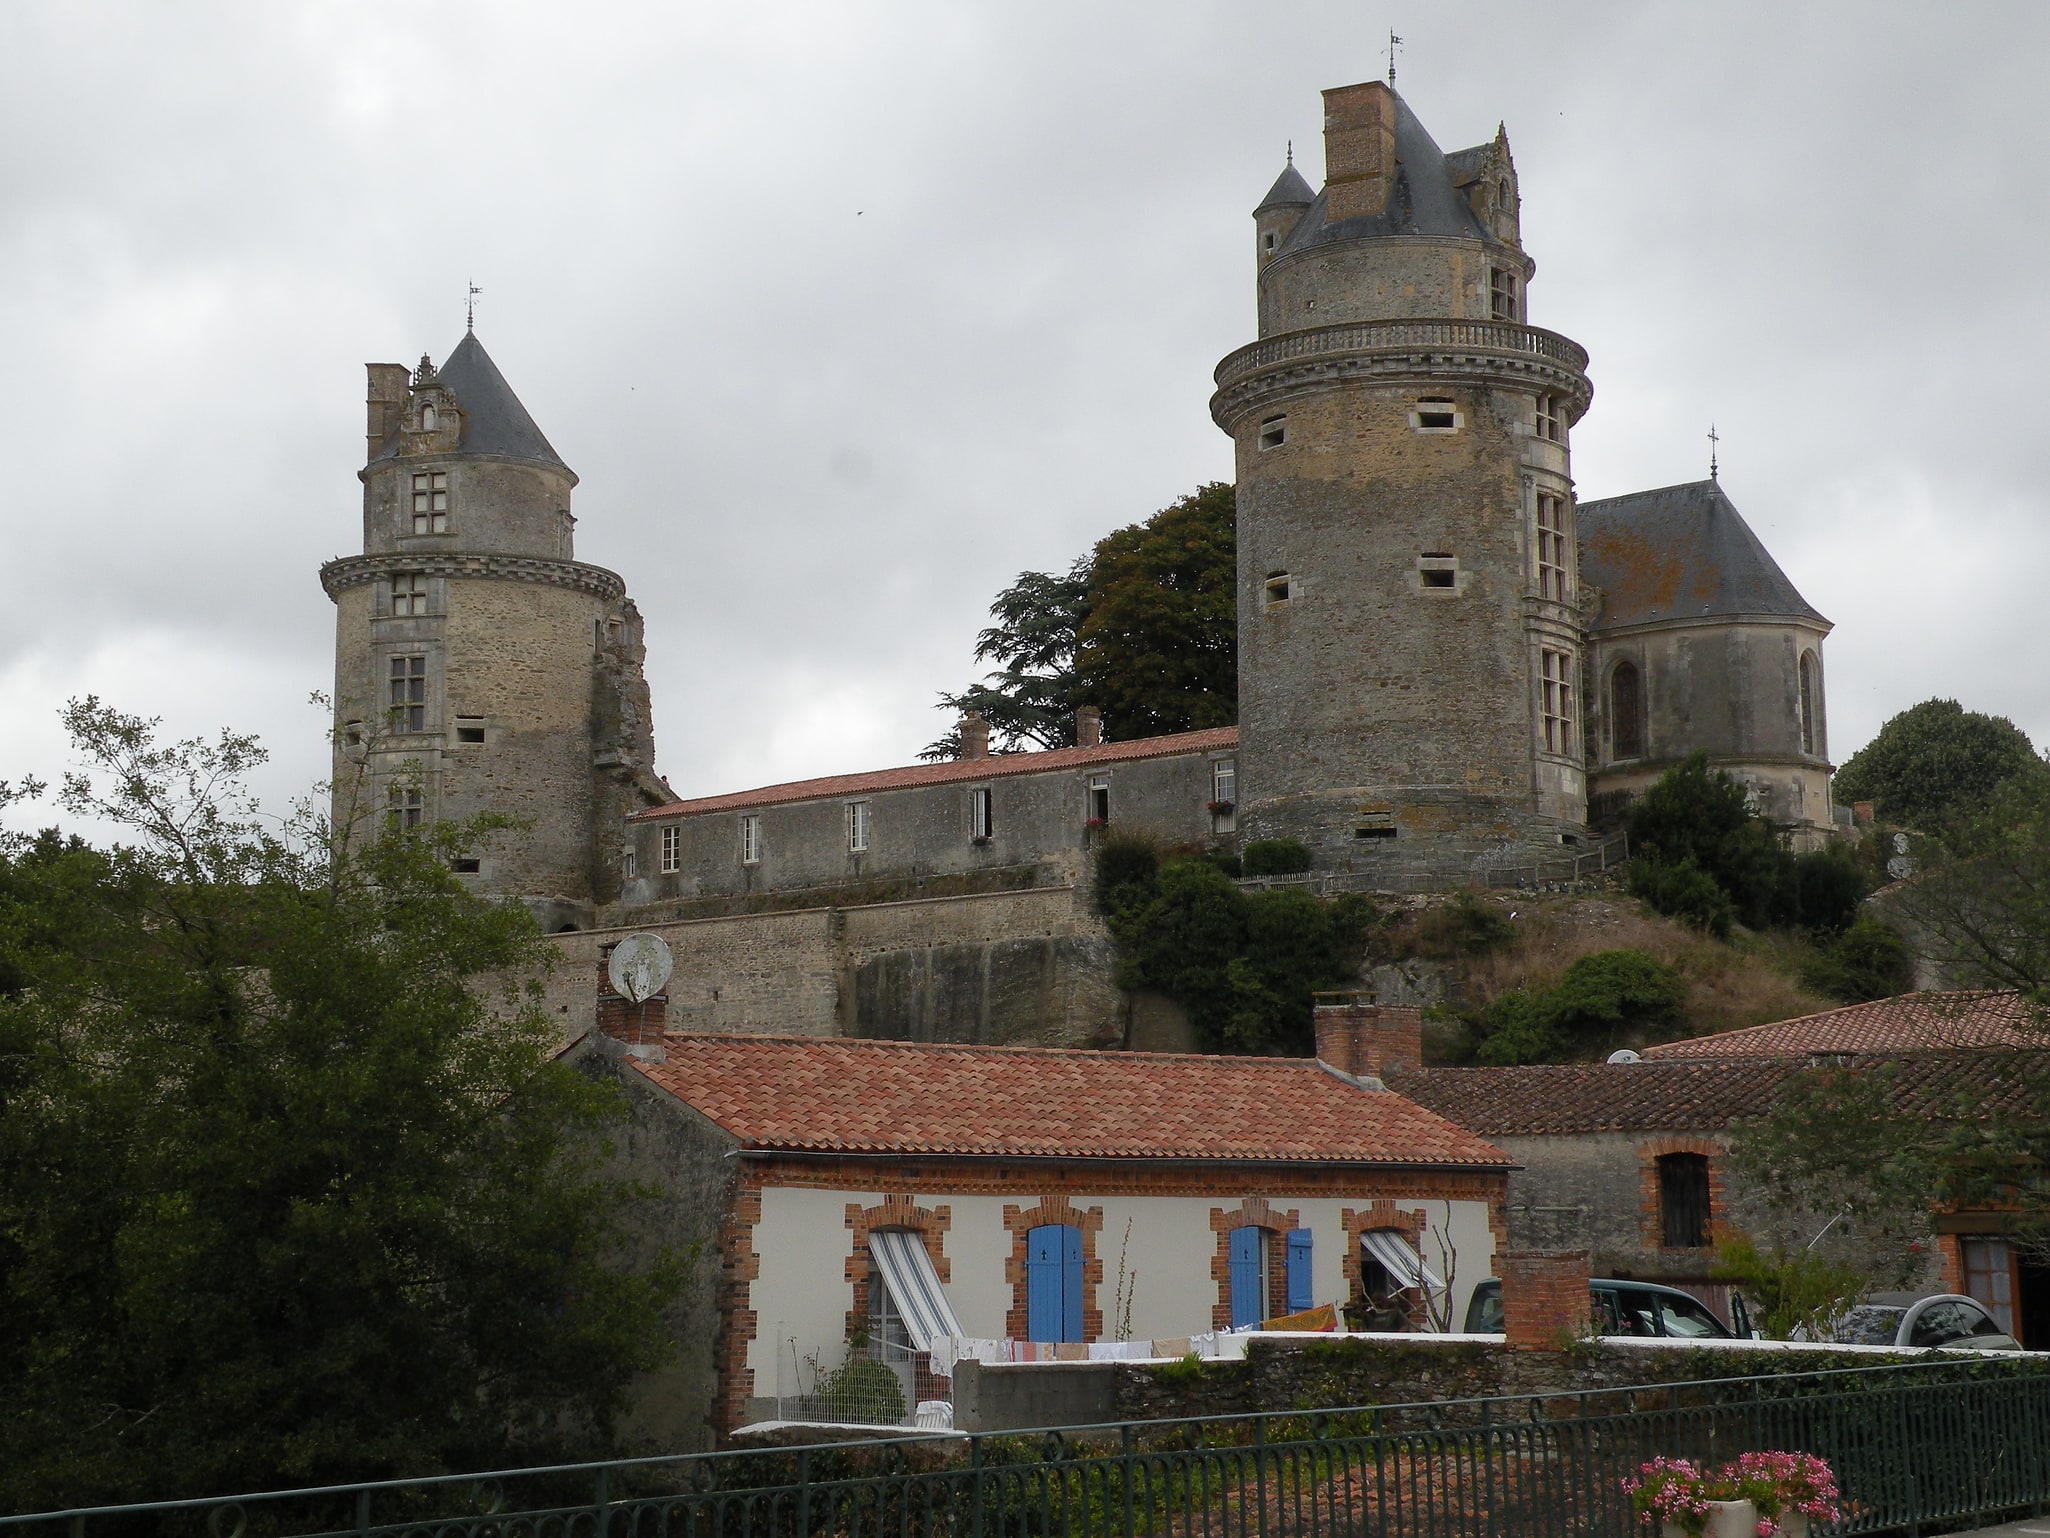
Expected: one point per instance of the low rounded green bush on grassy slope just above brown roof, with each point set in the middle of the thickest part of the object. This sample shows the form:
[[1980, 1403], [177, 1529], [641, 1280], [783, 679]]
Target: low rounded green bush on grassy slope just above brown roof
[[1584, 1014]]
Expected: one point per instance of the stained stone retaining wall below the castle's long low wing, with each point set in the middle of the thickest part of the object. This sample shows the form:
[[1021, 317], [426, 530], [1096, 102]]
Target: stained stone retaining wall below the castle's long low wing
[[991, 967]]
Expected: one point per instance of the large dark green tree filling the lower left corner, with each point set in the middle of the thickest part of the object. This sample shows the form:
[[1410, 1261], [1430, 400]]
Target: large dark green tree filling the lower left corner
[[292, 1184]]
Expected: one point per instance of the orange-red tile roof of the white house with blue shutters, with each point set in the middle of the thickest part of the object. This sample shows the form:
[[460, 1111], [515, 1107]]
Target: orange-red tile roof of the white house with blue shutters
[[811, 1094]]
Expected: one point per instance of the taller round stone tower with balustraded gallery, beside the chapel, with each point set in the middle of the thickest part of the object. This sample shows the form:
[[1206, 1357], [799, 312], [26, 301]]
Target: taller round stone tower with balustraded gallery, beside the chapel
[[1409, 626]]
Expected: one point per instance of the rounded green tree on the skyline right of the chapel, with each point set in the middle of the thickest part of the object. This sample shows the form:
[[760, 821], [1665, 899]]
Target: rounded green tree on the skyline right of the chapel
[[1934, 760]]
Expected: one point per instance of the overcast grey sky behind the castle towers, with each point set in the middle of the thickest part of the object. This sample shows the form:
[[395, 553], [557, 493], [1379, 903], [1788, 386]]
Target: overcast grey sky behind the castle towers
[[848, 313]]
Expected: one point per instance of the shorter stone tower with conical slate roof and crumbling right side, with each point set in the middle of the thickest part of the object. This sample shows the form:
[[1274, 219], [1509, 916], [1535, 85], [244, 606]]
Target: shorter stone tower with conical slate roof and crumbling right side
[[479, 665]]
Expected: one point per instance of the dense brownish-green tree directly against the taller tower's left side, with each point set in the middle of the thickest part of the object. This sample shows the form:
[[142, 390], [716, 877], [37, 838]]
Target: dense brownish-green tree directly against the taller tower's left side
[[1159, 651]]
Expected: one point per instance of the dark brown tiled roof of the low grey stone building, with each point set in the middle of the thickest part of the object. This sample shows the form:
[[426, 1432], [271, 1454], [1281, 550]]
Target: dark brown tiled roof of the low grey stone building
[[1703, 1094]]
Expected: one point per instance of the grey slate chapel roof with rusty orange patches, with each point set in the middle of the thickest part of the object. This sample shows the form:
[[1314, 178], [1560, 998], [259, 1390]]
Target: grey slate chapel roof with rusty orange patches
[[1680, 553]]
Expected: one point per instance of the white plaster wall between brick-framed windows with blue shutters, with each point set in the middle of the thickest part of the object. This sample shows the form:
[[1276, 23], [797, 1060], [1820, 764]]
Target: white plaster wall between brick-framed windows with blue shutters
[[803, 1242]]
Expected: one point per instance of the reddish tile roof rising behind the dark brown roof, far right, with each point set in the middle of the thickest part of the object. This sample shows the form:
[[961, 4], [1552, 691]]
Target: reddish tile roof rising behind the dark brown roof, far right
[[1912, 1022]]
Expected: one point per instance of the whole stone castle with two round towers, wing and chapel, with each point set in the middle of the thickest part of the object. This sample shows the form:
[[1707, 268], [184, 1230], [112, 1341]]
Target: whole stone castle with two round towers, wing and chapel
[[1446, 661]]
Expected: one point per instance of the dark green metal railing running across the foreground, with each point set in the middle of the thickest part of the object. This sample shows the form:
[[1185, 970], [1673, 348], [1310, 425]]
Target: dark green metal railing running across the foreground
[[1916, 1449]]
